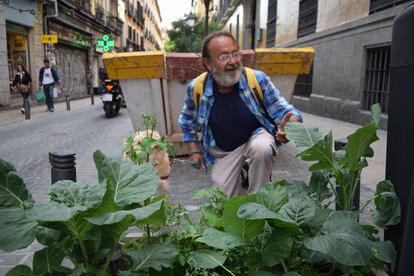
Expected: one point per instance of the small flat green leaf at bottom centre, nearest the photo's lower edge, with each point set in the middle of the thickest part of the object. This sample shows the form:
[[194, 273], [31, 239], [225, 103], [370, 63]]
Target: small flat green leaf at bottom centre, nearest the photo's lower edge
[[204, 258]]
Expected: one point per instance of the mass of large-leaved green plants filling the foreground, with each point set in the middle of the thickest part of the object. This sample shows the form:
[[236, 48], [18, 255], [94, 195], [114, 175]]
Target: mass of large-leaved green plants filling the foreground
[[286, 228]]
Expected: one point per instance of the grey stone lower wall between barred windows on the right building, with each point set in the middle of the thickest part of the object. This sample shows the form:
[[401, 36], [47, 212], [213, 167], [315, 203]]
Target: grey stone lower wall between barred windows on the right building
[[339, 64]]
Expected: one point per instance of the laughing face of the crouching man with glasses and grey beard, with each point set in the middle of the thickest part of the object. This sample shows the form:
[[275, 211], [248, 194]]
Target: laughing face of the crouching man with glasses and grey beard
[[224, 61]]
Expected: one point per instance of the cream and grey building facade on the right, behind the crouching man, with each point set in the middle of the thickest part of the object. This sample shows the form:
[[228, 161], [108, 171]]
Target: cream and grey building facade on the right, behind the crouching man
[[352, 41]]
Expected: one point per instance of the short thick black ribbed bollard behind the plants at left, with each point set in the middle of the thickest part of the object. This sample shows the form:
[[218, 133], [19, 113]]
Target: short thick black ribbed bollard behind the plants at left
[[63, 165]]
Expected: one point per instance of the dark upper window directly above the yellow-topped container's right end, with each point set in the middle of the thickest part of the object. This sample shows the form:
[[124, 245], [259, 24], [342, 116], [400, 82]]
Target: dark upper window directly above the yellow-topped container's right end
[[307, 17]]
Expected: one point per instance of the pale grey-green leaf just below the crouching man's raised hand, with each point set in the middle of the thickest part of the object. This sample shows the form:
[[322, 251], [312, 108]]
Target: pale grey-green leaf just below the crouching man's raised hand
[[303, 136]]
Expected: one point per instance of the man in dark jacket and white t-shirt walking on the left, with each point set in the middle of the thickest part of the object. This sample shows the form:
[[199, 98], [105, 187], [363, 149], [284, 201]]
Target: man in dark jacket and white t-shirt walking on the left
[[48, 79]]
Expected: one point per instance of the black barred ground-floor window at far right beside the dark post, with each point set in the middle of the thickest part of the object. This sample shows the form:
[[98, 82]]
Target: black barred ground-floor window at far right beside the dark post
[[377, 78]]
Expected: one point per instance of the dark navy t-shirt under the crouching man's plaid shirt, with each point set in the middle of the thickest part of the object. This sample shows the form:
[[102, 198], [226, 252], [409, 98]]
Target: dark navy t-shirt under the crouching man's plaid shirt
[[230, 120]]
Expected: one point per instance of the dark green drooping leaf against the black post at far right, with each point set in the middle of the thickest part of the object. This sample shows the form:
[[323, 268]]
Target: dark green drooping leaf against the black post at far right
[[388, 211]]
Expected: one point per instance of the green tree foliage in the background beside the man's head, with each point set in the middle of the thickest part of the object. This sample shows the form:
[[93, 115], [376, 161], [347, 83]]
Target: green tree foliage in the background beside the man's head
[[179, 36]]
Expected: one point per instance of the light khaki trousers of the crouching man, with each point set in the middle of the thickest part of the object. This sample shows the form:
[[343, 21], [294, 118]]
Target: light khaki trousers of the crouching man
[[260, 152]]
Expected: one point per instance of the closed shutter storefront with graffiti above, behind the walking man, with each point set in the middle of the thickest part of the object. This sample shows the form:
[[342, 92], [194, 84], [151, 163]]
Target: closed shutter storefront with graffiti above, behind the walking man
[[71, 57]]
